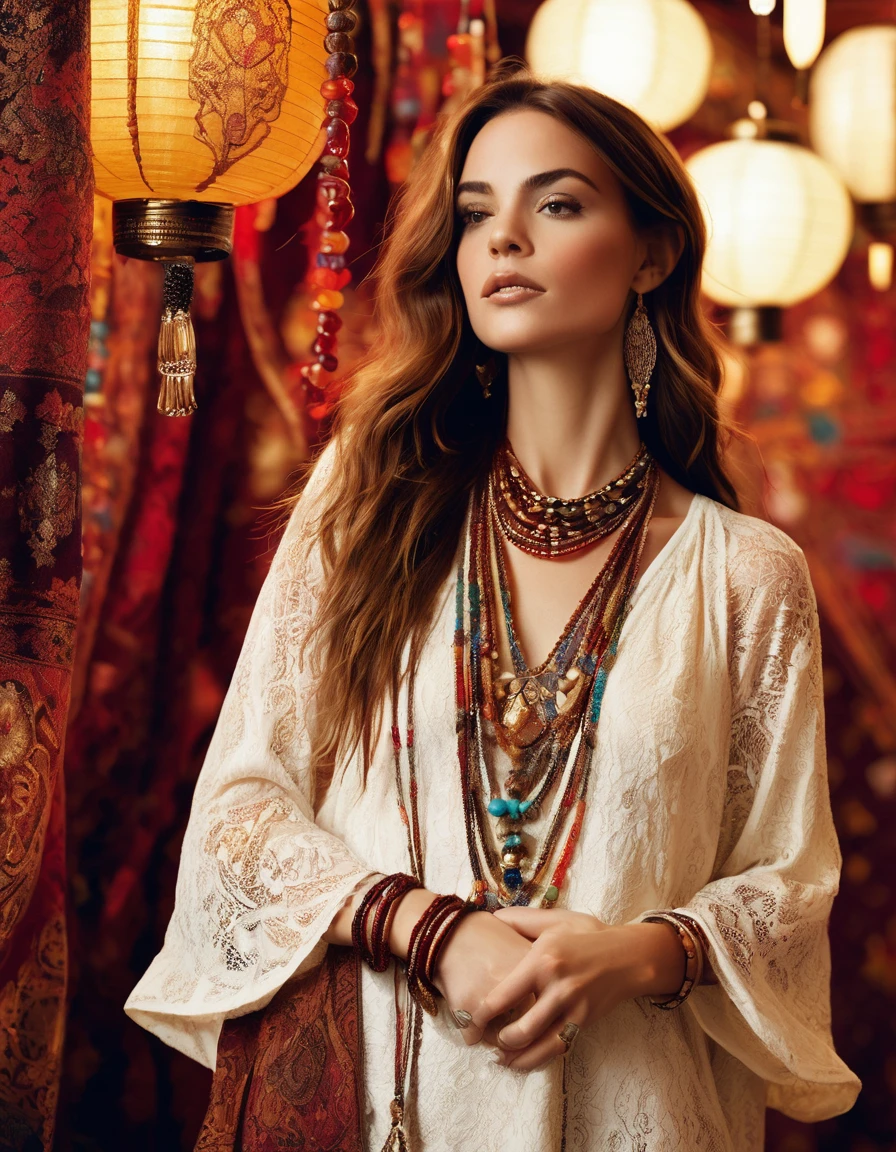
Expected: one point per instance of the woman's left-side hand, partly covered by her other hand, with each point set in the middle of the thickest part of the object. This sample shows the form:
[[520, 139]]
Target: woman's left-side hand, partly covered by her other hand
[[479, 957]]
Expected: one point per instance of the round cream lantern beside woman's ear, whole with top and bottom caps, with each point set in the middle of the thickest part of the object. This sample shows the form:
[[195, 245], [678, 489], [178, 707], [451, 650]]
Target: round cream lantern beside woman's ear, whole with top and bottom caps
[[779, 222]]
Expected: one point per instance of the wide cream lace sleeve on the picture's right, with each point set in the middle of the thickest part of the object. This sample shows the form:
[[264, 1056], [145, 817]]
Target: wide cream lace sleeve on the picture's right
[[778, 866]]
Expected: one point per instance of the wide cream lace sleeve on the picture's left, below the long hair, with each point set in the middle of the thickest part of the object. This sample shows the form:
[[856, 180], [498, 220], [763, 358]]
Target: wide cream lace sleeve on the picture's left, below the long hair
[[259, 882]]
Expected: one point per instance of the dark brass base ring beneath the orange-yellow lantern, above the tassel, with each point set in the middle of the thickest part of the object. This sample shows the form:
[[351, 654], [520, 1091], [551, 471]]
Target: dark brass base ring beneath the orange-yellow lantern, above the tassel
[[168, 230]]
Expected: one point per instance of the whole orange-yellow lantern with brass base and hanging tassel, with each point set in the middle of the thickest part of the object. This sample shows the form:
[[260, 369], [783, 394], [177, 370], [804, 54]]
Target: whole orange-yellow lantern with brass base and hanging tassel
[[199, 107]]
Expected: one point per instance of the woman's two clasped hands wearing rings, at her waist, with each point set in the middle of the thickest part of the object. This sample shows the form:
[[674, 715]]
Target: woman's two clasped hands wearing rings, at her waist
[[523, 974]]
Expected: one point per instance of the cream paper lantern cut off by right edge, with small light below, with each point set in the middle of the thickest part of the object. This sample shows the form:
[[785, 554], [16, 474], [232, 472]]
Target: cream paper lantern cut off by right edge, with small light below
[[853, 124]]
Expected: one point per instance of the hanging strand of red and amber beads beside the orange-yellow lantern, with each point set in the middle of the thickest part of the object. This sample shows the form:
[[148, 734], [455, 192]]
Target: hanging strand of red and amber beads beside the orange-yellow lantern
[[335, 210]]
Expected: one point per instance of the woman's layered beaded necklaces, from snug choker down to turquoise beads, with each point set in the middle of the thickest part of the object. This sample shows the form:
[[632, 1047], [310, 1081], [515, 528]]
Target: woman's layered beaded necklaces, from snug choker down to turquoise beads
[[537, 715]]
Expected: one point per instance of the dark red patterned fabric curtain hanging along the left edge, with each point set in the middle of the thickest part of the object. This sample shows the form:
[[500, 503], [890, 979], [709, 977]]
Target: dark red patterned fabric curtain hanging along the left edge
[[47, 185]]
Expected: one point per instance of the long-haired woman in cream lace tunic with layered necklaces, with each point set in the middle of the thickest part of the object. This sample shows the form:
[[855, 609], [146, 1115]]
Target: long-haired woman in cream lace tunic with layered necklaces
[[542, 225]]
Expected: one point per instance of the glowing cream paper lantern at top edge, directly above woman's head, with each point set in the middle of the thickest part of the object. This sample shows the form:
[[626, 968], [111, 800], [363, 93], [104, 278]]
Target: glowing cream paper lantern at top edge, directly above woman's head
[[654, 56]]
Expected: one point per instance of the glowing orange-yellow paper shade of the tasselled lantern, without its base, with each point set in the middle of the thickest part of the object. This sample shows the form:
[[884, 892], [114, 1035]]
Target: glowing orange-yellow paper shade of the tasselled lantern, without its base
[[206, 100]]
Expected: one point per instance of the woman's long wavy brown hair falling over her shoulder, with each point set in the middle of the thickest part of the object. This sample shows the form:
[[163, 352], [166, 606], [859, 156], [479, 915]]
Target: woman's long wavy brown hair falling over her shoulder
[[415, 434]]
